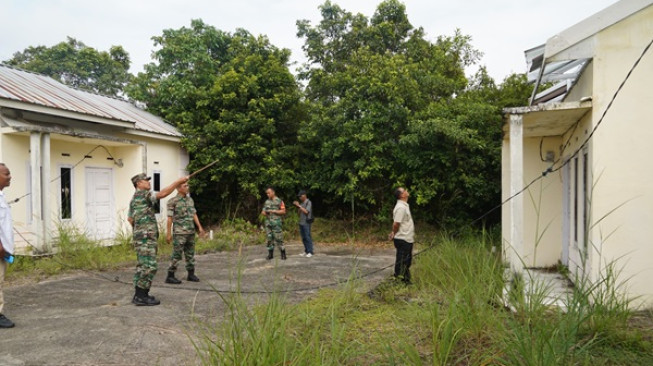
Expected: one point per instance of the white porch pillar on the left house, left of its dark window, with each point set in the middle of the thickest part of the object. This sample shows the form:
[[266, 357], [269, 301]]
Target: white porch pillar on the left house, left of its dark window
[[37, 208]]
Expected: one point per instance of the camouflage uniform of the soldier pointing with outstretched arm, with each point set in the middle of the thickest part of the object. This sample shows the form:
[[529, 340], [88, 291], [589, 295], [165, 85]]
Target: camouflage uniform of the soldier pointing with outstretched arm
[[146, 233]]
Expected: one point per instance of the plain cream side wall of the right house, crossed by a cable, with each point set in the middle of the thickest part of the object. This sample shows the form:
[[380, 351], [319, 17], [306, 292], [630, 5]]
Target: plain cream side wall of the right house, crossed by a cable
[[623, 174]]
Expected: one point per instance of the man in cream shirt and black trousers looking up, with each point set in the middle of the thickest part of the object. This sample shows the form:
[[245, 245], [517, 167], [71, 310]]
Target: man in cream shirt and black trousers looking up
[[403, 235]]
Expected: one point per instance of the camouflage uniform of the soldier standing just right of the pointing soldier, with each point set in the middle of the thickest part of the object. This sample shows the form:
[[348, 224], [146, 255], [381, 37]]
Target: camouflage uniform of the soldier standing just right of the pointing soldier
[[182, 210]]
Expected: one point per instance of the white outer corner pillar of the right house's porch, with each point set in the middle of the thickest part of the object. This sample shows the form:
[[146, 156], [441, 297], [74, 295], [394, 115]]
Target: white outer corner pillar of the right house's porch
[[516, 254]]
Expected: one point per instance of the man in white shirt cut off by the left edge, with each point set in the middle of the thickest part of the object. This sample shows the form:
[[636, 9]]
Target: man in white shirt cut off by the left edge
[[6, 237]]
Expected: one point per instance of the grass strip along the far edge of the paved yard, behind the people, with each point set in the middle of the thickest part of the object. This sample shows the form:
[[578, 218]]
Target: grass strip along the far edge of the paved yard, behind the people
[[75, 250]]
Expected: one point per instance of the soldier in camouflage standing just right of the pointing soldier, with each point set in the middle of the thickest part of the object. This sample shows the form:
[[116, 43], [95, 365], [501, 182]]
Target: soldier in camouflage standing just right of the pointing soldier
[[182, 215]]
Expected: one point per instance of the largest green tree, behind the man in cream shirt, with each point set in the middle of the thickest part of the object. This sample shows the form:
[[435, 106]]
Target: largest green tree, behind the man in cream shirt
[[389, 107]]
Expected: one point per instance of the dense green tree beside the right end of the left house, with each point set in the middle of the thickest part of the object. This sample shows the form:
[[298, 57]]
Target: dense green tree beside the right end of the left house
[[234, 99]]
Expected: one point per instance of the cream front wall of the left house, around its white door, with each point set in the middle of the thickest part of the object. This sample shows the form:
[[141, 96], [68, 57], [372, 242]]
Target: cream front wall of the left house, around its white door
[[164, 156]]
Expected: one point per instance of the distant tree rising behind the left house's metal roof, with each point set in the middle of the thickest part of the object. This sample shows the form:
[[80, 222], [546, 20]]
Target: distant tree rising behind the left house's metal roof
[[78, 65]]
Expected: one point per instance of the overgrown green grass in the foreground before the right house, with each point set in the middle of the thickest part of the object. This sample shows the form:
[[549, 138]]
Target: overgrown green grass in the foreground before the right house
[[452, 315]]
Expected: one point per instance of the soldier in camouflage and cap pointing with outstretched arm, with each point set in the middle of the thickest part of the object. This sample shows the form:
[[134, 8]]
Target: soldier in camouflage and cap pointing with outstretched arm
[[146, 232]]
